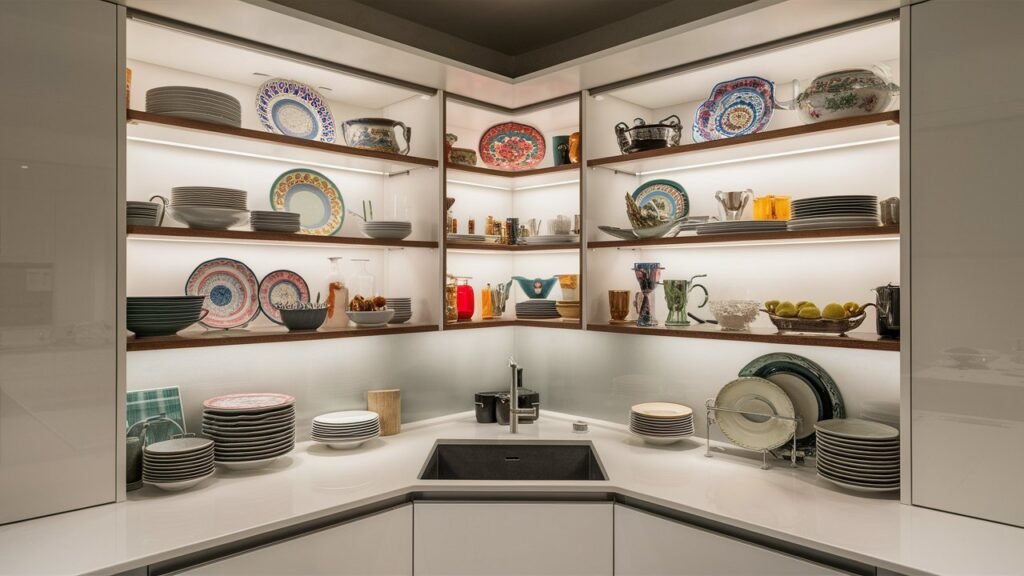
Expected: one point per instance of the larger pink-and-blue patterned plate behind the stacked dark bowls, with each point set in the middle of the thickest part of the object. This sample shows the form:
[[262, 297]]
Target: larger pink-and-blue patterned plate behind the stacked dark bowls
[[232, 293]]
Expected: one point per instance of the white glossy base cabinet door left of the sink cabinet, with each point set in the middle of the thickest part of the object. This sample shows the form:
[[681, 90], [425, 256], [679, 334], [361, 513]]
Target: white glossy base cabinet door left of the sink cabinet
[[377, 546]]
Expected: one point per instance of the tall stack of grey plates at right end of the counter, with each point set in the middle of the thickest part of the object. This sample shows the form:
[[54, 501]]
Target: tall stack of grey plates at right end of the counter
[[859, 455]]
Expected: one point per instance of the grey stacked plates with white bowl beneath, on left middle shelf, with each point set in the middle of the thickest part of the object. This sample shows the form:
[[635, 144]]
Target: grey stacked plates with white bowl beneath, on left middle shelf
[[209, 208]]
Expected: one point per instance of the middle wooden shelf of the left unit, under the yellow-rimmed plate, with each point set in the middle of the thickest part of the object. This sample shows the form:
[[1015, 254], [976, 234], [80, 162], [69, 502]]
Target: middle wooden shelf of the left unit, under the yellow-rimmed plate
[[272, 237]]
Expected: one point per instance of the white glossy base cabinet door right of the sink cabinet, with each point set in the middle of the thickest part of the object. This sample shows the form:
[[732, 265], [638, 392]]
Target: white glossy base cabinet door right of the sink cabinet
[[650, 546]]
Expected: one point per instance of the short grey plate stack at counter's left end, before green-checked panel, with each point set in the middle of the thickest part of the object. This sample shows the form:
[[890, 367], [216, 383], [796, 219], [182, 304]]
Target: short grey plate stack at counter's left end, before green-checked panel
[[179, 464]]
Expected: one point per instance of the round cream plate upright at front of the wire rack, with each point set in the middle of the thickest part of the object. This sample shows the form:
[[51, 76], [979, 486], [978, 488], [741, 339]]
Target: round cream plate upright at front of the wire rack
[[760, 397]]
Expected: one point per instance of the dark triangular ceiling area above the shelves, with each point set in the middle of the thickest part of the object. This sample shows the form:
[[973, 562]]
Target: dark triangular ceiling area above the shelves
[[513, 37]]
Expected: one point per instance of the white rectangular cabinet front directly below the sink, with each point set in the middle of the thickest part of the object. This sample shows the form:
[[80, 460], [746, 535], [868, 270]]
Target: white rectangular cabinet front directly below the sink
[[514, 539]]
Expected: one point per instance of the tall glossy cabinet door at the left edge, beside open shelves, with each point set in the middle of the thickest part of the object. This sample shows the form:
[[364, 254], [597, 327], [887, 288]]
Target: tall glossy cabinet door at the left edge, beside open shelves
[[58, 257]]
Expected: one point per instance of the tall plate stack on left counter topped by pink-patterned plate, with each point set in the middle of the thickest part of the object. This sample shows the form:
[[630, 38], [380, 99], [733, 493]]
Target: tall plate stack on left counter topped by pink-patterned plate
[[250, 431]]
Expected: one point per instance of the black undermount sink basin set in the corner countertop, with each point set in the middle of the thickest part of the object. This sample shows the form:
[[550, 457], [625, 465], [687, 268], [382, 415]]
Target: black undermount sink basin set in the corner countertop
[[467, 460]]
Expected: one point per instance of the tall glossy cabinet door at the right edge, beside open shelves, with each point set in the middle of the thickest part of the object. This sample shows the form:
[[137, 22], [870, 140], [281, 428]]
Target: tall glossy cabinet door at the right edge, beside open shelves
[[967, 258]]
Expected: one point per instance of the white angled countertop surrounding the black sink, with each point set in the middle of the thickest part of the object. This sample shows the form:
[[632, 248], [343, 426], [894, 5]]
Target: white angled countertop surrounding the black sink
[[315, 481]]
